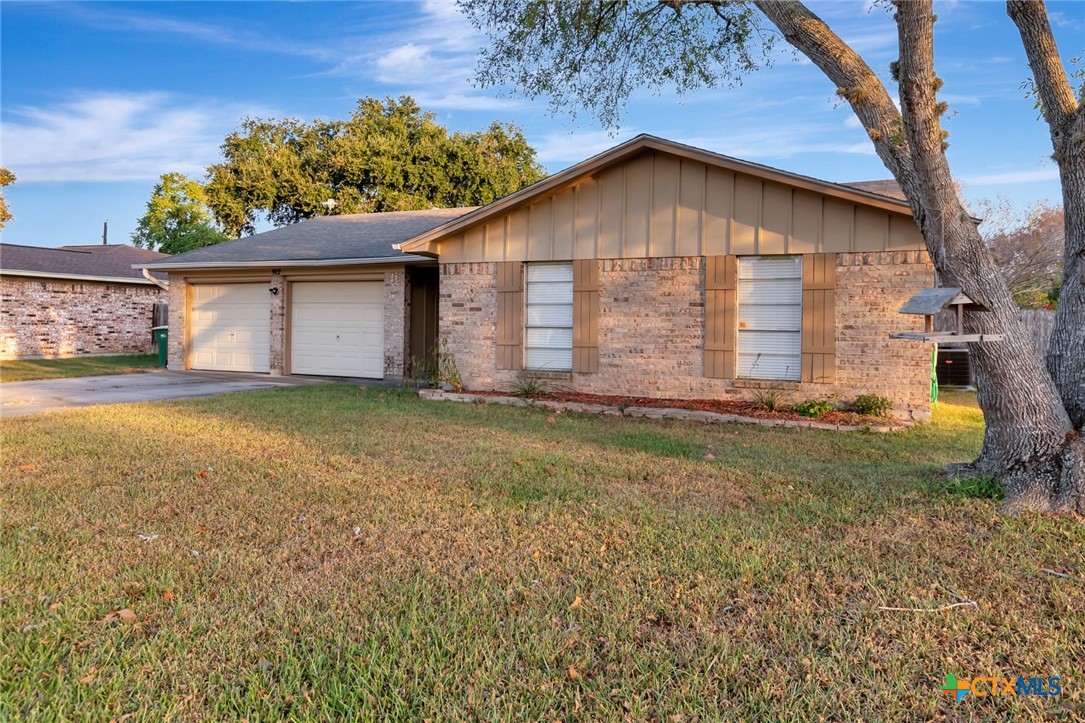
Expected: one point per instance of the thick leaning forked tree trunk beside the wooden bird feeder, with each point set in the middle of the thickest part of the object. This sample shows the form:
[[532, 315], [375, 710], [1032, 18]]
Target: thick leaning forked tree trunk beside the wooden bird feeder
[[1030, 446]]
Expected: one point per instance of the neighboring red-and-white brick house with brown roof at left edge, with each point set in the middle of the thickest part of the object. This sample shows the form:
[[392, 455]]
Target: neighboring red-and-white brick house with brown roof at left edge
[[75, 300]]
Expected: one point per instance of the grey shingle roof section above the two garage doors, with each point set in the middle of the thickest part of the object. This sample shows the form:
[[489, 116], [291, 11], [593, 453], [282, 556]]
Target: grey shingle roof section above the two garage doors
[[326, 240]]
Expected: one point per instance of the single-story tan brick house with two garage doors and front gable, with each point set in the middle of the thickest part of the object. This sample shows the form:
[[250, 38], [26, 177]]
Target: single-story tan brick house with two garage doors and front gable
[[653, 270]]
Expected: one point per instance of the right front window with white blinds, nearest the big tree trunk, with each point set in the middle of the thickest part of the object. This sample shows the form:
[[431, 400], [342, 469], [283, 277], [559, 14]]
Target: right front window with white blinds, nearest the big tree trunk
[[771, 318]]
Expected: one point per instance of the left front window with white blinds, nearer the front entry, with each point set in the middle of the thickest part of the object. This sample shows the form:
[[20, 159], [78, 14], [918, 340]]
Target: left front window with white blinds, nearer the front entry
[[548, 318]]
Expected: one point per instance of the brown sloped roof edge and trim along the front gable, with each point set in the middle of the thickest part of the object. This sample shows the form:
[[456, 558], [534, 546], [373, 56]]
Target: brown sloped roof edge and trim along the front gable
[[635, 147]]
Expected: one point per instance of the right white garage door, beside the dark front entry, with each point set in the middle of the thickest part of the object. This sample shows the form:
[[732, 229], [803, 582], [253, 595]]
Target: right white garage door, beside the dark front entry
[[337, 328]]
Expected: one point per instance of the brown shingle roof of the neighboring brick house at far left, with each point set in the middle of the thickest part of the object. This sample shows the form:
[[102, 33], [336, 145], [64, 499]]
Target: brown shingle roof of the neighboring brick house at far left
[[97, 263]]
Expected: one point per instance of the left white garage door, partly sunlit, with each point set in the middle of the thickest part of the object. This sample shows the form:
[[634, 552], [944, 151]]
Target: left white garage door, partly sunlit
[[232, 327]]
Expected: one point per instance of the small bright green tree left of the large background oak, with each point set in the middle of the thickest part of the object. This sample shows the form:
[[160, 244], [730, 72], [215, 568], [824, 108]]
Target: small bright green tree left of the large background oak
[[177, 218]]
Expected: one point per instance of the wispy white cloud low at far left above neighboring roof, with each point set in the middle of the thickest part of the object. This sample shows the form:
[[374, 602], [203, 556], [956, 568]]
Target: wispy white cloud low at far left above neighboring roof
[[117, 137]]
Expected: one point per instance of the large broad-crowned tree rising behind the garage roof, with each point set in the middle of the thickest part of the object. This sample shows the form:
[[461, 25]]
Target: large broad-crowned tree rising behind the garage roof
[[388, 156]]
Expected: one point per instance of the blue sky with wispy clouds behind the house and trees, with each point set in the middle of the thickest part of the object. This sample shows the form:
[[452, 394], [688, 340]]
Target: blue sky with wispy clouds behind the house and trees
[[99, 99]]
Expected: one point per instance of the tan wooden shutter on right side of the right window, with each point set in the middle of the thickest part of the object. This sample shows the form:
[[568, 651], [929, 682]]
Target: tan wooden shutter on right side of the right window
[[820, 319]]
